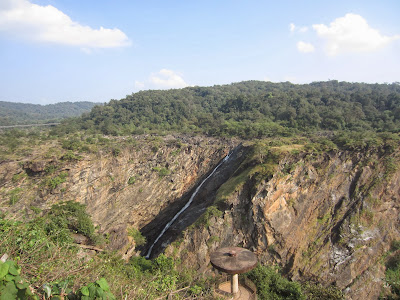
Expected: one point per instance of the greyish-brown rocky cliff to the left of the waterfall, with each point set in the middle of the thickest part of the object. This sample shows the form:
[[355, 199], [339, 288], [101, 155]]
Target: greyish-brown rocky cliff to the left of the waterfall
[[125, 187]]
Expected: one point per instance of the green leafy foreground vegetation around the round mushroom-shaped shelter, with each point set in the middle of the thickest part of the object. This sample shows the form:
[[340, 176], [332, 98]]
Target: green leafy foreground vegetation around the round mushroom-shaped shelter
[[49, 265]]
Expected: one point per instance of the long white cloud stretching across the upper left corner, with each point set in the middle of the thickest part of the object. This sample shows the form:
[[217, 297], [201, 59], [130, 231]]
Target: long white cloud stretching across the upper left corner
[[24, 19]]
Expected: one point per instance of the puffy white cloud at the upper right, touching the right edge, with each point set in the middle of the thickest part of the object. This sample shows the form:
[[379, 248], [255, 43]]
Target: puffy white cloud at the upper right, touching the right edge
[[351, 34]]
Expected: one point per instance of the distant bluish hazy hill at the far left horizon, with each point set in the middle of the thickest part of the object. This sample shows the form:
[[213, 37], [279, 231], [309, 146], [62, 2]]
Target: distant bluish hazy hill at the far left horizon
[[23, 113]]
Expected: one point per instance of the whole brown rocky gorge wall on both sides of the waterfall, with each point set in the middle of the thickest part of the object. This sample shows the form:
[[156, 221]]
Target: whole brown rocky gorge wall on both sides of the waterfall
[[324, 216]]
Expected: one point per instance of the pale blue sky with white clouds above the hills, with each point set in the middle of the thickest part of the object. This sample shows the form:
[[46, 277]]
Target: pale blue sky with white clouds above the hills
[[96, 50]]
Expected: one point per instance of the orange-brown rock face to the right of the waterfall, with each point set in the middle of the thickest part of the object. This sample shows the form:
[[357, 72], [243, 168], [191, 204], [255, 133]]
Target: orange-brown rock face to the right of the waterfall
[[328, 217]]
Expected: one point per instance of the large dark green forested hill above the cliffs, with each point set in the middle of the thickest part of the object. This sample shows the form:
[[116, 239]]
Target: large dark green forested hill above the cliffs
[[251, 109]]
